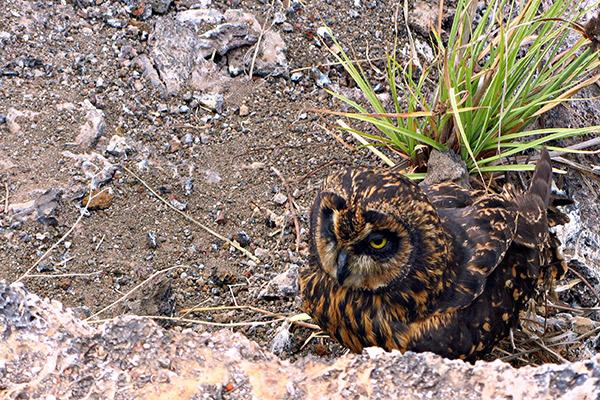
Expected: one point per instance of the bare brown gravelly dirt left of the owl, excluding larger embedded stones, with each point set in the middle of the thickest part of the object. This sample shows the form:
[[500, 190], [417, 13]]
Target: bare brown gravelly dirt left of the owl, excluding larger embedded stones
[[55, 55]]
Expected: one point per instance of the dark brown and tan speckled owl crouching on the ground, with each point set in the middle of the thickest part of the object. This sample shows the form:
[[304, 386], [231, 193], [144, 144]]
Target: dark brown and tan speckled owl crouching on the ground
[[441, 268]]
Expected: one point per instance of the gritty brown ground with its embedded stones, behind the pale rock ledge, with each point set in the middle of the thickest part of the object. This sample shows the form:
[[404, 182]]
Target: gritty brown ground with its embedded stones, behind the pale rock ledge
[[210, 105]]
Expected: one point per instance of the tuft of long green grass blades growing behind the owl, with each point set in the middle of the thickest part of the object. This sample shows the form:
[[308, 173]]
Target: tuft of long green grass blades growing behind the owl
[[488, 82]]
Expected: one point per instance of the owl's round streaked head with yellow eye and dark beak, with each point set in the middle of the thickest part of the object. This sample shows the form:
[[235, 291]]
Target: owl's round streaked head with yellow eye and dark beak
[[373, 229]]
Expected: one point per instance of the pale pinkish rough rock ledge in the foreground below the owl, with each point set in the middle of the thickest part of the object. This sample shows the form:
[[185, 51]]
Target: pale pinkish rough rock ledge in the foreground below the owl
[[47, 352]]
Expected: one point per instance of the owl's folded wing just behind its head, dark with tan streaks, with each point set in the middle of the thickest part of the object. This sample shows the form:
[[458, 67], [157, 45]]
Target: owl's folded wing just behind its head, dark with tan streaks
[[481, 234]]
